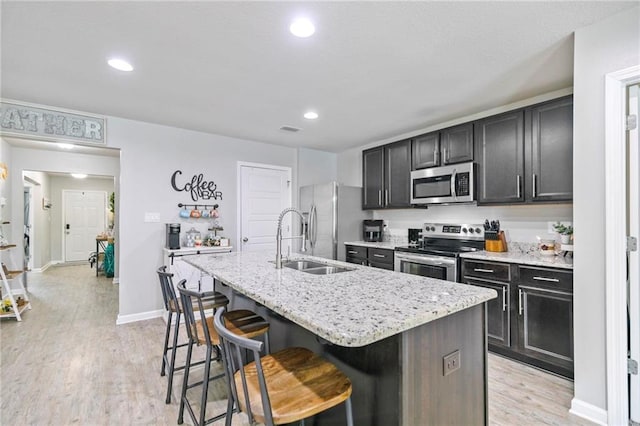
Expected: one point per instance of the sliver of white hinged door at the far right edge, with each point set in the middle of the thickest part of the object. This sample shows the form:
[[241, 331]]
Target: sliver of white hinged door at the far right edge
[[634, 256]]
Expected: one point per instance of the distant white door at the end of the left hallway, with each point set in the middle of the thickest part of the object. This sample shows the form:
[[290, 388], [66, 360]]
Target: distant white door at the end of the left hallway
[[84, 219]]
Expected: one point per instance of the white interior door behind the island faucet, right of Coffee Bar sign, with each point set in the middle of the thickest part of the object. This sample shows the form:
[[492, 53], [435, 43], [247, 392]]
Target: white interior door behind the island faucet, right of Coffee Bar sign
[[264, 192]]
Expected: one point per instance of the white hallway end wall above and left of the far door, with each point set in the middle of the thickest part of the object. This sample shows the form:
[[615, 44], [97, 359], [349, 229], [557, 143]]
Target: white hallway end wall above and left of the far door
[[58, 184]]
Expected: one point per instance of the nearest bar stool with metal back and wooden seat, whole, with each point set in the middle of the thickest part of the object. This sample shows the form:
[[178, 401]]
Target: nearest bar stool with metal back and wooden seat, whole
[[284, 387]]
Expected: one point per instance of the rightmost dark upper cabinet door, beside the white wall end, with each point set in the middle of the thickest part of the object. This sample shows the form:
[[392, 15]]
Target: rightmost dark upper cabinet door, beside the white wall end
[[549, 145]]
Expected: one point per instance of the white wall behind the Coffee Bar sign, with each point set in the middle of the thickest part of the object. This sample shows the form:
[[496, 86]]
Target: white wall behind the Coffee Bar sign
[[149, 156]]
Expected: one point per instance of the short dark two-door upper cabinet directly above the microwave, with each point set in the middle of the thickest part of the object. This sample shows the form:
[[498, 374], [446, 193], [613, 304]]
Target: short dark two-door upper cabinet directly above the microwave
[[448, 146]]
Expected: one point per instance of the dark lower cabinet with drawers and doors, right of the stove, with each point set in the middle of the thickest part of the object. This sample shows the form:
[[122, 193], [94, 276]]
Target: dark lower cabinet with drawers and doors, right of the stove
[[531, 320]]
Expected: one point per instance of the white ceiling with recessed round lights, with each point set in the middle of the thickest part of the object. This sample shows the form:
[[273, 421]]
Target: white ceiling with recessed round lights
[[373, 70]]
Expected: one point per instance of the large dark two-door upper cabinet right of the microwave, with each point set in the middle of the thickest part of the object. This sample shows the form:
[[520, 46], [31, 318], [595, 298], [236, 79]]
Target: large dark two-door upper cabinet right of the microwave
[[526, 155]]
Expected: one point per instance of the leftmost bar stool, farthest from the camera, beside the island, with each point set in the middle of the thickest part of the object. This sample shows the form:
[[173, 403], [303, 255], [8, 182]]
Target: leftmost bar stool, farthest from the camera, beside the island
[[173, 307]]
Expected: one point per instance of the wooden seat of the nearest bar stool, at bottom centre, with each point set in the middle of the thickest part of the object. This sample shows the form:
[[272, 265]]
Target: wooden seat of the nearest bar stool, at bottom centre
[[299, 383]]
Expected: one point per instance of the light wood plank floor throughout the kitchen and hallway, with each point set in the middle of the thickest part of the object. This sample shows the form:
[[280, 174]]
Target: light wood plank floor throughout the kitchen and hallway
[[67, 362]]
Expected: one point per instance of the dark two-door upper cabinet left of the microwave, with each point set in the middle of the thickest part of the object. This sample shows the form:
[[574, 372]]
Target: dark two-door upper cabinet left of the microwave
[[386, 176]]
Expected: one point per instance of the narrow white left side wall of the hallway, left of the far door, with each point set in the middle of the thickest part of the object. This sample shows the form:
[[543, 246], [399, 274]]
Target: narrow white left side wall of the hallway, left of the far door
[[40, 236]]
